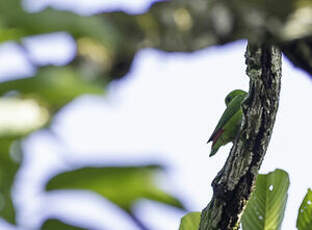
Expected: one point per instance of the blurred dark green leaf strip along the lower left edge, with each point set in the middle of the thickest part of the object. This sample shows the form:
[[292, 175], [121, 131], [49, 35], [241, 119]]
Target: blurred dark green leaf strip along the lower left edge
[[8, 169]]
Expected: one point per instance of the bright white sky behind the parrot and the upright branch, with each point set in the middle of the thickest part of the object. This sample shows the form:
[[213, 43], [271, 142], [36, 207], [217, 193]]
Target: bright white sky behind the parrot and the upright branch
[[163, 111]]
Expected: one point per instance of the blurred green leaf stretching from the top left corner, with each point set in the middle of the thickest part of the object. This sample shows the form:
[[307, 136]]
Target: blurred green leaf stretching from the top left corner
[[13, 16]]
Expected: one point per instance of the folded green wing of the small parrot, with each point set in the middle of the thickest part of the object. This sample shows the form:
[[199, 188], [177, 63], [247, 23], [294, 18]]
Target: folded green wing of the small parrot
[[231, 109]]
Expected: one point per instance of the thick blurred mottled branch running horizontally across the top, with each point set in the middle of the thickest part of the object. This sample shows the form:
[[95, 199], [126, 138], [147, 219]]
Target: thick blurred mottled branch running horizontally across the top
[[183, 25]]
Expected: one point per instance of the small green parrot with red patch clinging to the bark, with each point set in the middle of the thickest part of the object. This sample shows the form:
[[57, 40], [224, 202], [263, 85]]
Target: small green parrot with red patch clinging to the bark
[[230, 121]]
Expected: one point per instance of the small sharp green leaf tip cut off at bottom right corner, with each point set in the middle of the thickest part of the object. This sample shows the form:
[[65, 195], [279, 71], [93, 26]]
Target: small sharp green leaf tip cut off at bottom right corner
[[304, 219]]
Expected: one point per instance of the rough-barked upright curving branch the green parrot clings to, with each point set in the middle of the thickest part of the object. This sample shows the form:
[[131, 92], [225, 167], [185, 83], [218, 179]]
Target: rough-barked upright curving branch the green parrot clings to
[[234, 183]]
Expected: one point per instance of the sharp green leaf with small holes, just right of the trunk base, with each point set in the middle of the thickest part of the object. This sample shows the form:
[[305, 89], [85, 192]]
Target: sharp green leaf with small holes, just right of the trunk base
[[266, 207]]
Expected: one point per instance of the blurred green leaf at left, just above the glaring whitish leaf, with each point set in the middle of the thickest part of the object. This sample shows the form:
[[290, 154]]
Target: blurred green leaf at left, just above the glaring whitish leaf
[[52, 86]]
